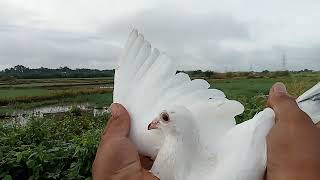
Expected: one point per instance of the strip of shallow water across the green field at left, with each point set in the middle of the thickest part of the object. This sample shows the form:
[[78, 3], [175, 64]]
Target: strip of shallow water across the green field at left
[[23, 115]]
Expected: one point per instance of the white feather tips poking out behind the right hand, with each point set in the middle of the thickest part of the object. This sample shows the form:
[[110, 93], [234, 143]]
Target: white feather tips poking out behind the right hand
[[309, 102]]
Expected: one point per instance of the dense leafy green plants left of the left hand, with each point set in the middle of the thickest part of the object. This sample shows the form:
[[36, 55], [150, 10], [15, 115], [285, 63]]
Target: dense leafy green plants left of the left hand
[[50, 148]]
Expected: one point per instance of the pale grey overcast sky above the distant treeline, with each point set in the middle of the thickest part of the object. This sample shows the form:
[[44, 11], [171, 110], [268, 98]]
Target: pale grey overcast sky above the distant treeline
[[218, 35]]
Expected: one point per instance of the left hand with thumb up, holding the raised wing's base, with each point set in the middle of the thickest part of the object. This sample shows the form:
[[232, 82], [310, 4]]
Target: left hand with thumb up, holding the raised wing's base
[[117, 157]]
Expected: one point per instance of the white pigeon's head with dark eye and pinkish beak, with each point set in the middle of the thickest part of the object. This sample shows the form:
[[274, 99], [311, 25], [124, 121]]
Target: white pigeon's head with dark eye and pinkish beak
[[172, 120]]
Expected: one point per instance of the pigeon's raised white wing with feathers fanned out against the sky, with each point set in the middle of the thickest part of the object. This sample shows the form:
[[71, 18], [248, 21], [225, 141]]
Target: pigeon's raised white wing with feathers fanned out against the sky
[[146, 82]]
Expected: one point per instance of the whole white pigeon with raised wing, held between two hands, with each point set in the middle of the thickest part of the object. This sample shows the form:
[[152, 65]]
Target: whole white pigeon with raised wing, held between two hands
[[195, 126]]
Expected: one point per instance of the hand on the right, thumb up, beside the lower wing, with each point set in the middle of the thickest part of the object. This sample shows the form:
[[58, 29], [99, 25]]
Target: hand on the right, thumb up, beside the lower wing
[[293, 144]]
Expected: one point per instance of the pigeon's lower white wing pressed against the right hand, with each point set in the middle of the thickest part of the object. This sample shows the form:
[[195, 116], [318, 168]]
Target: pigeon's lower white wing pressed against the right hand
[[243, 149]]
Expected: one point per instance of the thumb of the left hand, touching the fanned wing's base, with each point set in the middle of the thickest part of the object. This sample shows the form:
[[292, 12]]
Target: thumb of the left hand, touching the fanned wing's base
[[119, 124]]
